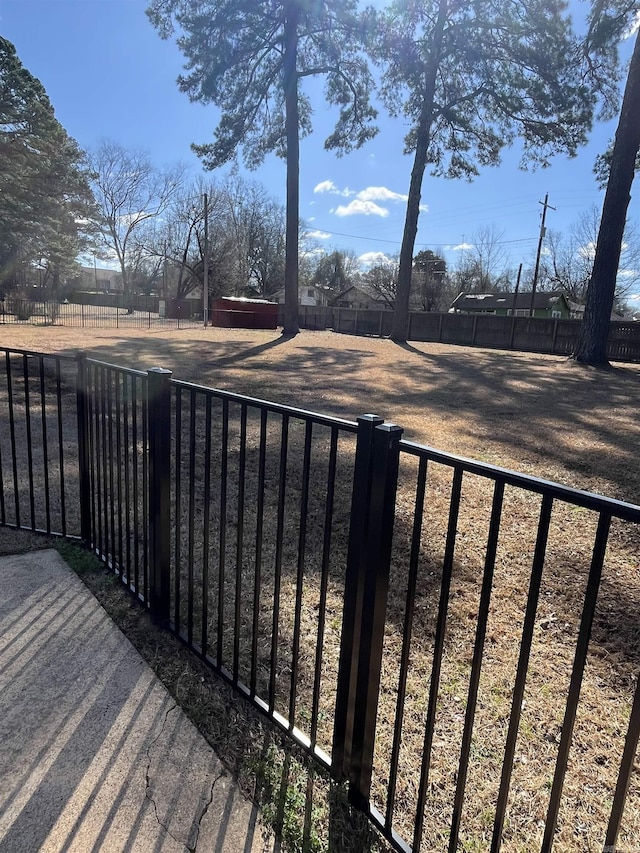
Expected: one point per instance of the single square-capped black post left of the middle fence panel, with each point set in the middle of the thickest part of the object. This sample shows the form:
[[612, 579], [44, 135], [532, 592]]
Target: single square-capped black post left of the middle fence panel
[[159, 432]]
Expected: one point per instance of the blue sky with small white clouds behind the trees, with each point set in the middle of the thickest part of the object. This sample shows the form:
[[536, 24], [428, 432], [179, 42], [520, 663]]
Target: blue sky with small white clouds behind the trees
[[109, 75]]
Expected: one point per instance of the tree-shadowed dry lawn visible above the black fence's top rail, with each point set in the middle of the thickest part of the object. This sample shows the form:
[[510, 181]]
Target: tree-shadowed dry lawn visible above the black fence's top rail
[[523, 410]]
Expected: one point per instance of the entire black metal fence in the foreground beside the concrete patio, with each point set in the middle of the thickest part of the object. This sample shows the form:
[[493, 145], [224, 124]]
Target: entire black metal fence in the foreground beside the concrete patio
[[351, 585]]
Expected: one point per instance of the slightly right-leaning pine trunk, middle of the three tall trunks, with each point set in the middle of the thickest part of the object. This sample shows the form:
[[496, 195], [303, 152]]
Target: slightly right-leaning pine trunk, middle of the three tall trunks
[[400, 323]]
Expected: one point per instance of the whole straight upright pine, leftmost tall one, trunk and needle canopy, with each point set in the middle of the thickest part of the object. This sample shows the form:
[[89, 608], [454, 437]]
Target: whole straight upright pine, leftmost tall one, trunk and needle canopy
[[248, 57]]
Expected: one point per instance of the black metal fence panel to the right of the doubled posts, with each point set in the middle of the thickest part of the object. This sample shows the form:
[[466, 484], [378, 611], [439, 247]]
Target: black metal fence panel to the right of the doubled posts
[[477, 702]]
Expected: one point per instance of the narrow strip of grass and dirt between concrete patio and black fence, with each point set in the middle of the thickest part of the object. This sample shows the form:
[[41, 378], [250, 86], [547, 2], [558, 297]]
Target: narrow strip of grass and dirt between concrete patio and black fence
[[305, 809]]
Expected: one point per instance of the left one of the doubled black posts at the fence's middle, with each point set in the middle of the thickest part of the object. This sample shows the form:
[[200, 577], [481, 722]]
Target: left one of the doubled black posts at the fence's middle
[[352, 607]]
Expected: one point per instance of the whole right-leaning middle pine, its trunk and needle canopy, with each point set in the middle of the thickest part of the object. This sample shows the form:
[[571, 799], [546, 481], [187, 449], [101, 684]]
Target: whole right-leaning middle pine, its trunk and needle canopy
[[472, 78]]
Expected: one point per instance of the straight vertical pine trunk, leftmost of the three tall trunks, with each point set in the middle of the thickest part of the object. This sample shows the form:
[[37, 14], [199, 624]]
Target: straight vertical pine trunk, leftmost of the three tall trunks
[[291, 326]]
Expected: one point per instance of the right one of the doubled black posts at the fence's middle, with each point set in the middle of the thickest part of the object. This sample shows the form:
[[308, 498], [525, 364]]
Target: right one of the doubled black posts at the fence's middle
[[386, 456]]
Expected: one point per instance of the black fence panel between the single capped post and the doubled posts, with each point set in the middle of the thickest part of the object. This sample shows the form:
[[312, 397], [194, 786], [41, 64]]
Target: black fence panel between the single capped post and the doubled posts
[[260, 503]]
